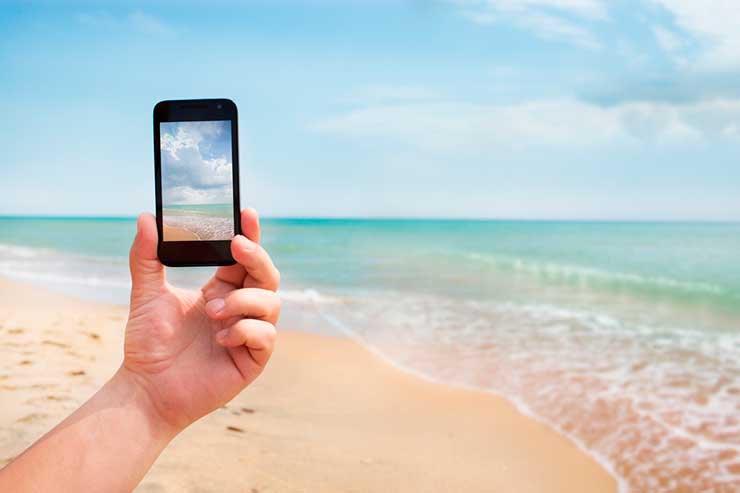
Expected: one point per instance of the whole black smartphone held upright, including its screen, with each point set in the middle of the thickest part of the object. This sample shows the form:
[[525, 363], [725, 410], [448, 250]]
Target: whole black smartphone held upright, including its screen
[[196, 163]]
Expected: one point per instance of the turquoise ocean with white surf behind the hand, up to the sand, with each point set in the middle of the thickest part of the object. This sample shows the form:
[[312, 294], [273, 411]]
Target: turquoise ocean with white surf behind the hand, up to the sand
[[625, 337]]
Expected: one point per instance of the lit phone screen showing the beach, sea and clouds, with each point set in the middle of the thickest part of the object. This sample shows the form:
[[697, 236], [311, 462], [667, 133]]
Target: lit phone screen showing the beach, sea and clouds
[[197, 180]]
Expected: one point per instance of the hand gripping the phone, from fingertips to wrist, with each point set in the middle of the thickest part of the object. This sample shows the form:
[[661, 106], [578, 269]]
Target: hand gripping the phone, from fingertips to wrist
[[193, 351]]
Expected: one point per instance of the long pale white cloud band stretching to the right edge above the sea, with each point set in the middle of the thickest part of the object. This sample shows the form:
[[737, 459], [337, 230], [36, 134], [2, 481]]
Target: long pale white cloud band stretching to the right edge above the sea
[[561, 123]]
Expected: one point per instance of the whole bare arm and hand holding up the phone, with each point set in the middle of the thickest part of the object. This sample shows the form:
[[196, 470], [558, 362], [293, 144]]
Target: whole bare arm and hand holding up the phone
[[186, 353]]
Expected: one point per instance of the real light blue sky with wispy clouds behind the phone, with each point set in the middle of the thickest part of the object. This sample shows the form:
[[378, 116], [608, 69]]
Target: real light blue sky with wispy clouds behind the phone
[[533, 109]]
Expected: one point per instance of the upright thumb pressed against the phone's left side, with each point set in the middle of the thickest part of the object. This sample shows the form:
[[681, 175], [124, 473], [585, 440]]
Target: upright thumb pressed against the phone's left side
[[147, 272]]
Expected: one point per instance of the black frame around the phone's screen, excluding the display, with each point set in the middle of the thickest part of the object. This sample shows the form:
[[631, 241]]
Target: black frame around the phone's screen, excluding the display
[[199, 252]]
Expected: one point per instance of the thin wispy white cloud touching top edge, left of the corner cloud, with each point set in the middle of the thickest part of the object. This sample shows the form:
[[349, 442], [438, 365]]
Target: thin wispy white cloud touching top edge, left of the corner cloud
[[547, 19]]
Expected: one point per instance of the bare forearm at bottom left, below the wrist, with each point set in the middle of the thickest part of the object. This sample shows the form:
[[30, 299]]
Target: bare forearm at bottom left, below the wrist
[[108, 444]]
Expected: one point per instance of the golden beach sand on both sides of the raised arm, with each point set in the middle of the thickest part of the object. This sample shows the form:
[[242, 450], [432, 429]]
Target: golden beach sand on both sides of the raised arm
[[327, 415]]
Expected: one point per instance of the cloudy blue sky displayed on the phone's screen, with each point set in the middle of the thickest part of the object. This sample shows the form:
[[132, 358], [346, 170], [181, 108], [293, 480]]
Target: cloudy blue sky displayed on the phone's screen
[[196, 163]]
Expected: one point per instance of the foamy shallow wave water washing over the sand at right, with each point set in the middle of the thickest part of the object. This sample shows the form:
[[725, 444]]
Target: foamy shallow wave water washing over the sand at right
[[658, 406]]
